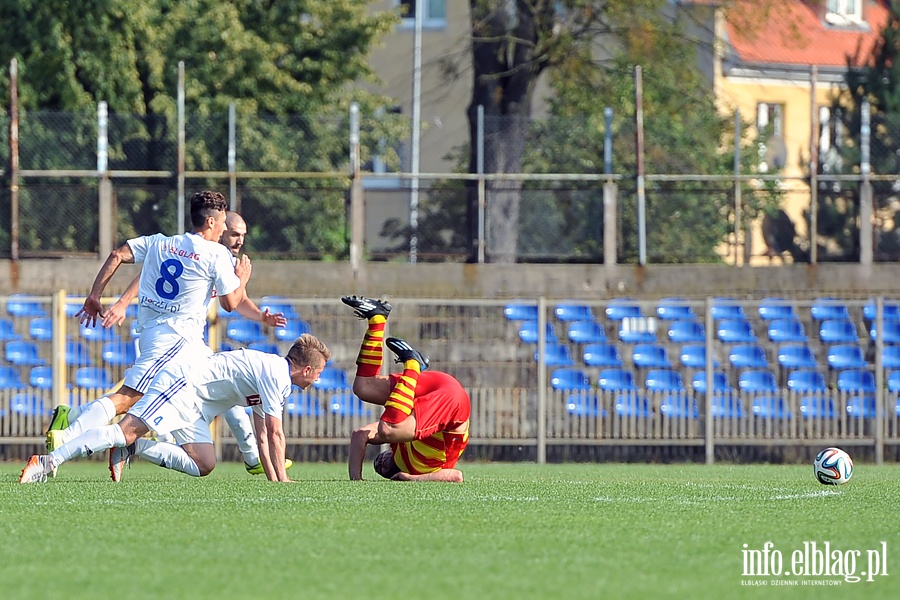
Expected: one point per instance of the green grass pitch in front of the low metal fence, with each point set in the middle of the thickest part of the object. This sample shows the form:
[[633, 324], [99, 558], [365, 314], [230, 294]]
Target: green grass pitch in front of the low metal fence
[[511, 531]]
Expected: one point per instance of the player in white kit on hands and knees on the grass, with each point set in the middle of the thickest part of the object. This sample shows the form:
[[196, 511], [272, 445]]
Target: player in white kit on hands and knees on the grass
[[184, 398]]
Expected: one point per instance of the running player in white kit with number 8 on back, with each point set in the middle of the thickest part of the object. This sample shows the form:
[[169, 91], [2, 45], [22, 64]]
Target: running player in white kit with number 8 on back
[[176, 283]]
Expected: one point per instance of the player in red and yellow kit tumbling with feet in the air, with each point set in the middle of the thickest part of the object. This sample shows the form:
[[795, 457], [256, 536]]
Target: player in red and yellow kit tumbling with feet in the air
[[426, 416]]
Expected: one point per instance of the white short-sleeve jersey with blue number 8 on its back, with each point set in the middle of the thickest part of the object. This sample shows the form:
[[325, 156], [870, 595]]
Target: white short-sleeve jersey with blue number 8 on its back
[[178, 280]]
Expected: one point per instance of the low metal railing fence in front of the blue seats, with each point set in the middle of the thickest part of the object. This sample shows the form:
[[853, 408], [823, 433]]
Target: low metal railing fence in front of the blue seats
[[542, 375]]
